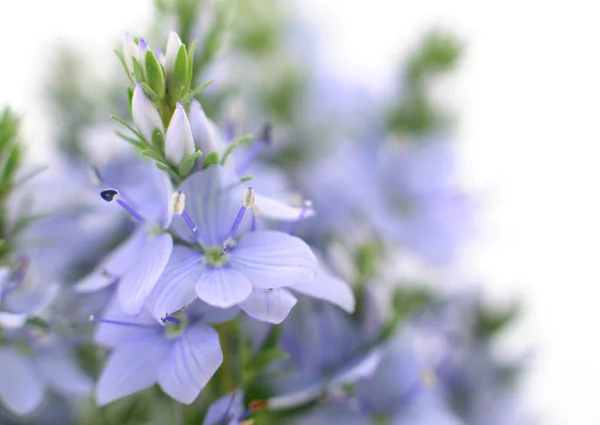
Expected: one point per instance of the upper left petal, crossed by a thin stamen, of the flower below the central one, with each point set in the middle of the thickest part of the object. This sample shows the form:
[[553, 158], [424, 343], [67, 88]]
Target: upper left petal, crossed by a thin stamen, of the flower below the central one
[[110, 335]]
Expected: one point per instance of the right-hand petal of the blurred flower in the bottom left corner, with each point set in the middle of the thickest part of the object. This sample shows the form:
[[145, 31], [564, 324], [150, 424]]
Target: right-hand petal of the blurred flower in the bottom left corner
[[59, 368]]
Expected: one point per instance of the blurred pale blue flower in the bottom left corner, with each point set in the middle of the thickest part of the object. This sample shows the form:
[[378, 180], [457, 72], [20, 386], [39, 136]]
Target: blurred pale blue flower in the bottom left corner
[[32, 363]]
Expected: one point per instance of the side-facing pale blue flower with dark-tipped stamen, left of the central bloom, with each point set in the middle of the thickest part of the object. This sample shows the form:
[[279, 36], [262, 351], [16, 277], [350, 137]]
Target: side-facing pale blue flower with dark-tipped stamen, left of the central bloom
[[144, 192]]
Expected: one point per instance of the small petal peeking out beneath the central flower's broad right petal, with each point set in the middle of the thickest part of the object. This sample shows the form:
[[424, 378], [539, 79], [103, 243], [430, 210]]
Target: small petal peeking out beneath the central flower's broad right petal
[[269, 305]]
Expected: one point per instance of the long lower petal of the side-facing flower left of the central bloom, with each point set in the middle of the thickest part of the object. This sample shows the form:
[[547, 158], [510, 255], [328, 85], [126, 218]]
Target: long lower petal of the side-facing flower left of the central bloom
[[137, 283]]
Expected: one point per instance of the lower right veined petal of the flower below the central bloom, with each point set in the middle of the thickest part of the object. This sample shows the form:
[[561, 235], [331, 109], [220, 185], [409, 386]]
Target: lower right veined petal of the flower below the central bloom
[[194, 359]]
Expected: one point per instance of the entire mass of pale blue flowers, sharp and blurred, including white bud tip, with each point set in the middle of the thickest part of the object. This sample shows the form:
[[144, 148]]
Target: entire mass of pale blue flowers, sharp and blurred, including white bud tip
[[235, 295]]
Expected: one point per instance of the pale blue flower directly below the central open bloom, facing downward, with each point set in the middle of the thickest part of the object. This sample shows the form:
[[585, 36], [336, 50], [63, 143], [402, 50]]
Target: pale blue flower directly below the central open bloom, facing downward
[[181, 353]]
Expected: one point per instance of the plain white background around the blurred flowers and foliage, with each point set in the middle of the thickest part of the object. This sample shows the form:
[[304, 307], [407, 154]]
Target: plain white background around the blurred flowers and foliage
[[528, 94]]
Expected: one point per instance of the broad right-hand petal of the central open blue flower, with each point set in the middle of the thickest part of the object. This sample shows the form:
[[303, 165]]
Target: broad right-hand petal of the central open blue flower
[[273, 259]]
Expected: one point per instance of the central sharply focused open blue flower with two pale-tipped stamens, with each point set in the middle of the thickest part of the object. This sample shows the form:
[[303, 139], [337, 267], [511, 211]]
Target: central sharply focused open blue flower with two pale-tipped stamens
[[222, 269]]
